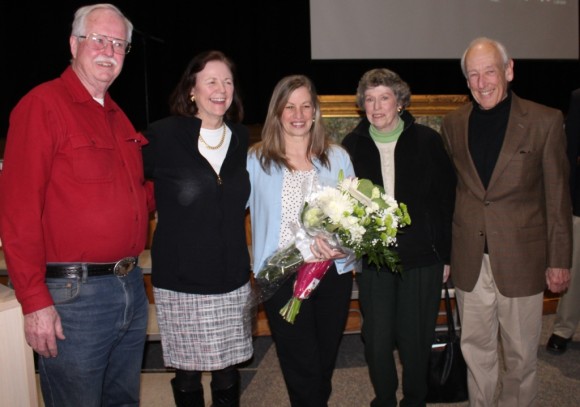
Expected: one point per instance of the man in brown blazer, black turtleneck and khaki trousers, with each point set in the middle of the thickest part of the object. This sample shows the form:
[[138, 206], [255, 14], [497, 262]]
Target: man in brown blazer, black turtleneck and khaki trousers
[[511, 226]]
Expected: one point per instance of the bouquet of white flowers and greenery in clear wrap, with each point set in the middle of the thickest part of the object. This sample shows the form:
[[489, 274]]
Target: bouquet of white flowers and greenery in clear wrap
[[356, 216]]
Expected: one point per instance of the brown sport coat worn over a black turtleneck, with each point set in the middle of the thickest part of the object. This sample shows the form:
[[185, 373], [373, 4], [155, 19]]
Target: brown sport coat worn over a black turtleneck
[[524, 214]]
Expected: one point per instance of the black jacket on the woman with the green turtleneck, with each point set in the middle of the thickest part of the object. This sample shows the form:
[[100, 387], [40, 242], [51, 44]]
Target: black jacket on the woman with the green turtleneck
[[424, 181]]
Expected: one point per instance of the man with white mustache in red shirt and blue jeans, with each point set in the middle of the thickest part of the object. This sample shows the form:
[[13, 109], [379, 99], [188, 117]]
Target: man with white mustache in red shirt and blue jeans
[[73, 220]]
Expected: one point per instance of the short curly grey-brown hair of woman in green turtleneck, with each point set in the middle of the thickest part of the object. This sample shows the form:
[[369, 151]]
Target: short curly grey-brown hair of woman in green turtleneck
[[383, 77]]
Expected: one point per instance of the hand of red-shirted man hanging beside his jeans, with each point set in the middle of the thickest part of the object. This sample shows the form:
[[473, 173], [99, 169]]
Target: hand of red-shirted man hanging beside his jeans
[[41, 329]]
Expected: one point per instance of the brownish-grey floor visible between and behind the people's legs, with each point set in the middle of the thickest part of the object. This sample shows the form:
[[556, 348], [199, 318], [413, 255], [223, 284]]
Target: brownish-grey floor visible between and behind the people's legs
[[263, 386]]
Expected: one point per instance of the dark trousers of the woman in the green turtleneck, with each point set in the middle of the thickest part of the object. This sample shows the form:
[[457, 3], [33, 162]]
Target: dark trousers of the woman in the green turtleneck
[[399, 312]]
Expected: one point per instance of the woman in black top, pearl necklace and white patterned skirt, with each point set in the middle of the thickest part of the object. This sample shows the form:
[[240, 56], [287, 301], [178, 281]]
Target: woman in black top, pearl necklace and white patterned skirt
[[201, 267]]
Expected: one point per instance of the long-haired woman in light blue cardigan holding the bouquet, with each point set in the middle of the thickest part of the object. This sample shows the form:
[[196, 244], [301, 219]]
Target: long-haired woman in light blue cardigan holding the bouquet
[[294, 150]]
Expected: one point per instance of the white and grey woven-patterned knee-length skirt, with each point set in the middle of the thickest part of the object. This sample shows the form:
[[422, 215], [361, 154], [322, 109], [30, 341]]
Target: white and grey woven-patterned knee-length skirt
[[204, 332]]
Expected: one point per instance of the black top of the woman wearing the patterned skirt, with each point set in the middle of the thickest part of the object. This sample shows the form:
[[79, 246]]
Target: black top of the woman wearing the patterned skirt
[[199, 245]]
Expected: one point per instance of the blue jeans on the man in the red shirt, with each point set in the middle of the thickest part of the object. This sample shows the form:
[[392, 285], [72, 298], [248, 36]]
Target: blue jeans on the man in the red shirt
[[105, 322]]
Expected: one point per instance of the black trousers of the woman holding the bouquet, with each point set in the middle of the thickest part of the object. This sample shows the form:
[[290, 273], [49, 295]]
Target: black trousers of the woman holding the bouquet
[[308, 348]]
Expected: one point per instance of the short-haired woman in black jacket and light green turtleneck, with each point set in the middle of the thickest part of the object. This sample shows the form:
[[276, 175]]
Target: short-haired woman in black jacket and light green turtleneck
[[409, 160]]
